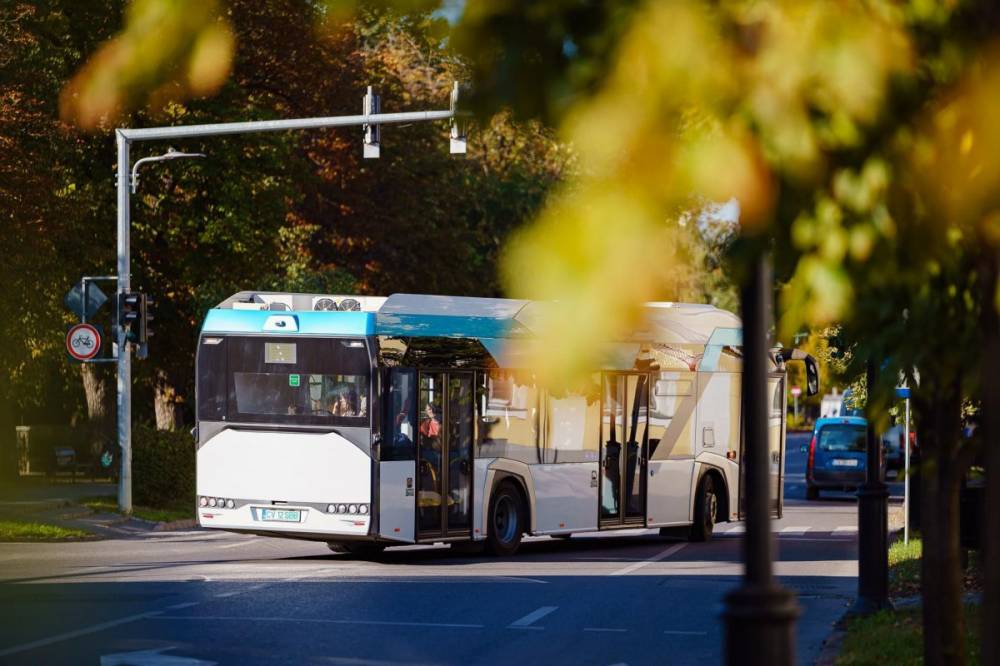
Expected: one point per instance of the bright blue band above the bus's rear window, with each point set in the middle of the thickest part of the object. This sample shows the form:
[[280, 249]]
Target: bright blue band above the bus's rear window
[[308, 323]]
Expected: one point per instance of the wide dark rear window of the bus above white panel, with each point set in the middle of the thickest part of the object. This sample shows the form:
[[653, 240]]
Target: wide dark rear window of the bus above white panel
[[291, 381]]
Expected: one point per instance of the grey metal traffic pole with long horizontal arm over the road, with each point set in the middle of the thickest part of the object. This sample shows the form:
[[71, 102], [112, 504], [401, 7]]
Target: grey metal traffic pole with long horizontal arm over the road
[[125, 137]]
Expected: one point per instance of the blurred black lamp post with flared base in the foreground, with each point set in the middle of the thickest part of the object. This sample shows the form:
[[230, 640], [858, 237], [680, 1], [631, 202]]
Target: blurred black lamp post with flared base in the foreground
[[760, 614]]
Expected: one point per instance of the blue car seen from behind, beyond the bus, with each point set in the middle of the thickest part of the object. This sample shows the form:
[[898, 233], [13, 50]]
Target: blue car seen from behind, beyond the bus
[[836, 455]]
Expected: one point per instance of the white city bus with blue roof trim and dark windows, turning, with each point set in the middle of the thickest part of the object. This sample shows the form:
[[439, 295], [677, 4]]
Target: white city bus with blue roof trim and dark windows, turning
[[368, 422]]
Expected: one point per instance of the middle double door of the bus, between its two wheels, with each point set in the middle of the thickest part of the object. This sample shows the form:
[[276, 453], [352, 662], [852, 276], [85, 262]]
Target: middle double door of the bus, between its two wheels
[[624, 421]]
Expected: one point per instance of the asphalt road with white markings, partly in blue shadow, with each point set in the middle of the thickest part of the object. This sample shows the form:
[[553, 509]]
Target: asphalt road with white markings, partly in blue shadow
[[203, 597]]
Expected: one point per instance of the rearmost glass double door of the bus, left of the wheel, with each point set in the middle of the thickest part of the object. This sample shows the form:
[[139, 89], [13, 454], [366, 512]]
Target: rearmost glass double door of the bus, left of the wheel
[[444, 454]]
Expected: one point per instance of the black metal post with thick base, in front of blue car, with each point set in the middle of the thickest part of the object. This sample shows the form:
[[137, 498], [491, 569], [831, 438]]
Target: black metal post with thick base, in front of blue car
[[873, 523]]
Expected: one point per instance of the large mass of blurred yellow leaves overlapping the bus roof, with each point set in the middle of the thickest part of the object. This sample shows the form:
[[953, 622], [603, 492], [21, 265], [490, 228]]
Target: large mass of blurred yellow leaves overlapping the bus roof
[[707, 101]]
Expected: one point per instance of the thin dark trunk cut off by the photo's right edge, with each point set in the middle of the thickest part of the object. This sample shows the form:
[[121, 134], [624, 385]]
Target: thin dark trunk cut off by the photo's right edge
[[990, 391]]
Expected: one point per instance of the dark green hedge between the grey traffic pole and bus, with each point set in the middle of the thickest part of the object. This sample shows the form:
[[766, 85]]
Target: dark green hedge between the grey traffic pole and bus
[[163, 468]]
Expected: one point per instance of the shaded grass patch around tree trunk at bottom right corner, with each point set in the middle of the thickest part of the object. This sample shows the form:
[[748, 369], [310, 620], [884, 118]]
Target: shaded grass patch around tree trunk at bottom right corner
[[896, 637]]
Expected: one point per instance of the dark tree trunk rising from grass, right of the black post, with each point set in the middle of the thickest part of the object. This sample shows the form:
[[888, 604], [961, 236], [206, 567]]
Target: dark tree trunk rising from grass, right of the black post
[[941, 571]]
